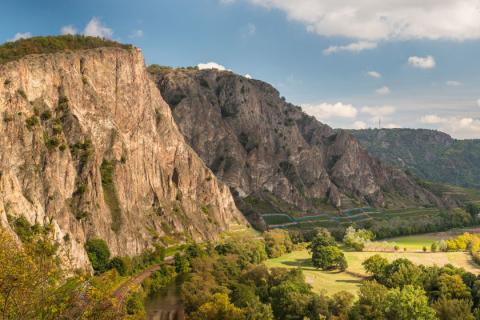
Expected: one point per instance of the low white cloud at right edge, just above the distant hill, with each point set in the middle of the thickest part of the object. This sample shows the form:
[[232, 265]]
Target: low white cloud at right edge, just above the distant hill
[[459, 127]]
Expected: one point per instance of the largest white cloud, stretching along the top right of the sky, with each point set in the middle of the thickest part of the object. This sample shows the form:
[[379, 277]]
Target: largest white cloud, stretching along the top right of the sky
[[376, 20]]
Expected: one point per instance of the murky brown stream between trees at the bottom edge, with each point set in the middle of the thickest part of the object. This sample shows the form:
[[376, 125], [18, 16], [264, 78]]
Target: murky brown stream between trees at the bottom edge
[[166, 305]]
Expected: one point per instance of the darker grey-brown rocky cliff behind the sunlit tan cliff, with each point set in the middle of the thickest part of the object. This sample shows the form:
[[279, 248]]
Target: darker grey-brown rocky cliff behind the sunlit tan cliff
[[265, 148]]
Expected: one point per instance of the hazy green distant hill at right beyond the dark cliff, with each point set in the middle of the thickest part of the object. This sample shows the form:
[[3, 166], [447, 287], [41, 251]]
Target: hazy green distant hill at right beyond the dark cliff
[[429, 154]]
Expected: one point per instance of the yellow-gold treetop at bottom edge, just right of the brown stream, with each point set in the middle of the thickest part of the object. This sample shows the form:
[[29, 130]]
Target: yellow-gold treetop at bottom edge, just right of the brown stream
[[218, 307]]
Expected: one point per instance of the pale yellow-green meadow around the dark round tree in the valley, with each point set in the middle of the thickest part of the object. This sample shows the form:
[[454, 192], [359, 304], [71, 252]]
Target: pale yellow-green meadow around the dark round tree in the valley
[[350, 280]]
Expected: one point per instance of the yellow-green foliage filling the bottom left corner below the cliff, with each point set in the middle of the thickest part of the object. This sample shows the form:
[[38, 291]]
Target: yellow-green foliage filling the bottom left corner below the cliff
[[33, 286]]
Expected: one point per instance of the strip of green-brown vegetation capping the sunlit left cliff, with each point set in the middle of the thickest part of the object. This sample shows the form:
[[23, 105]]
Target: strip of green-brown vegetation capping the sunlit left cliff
[[11, 51]]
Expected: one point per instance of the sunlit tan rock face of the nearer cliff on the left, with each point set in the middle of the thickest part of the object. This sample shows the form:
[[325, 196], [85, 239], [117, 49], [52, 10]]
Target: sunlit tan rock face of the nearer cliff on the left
[[88, 144]]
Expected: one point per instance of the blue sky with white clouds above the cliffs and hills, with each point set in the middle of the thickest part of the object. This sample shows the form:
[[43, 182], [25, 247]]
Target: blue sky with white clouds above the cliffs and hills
[[350, 63]]
